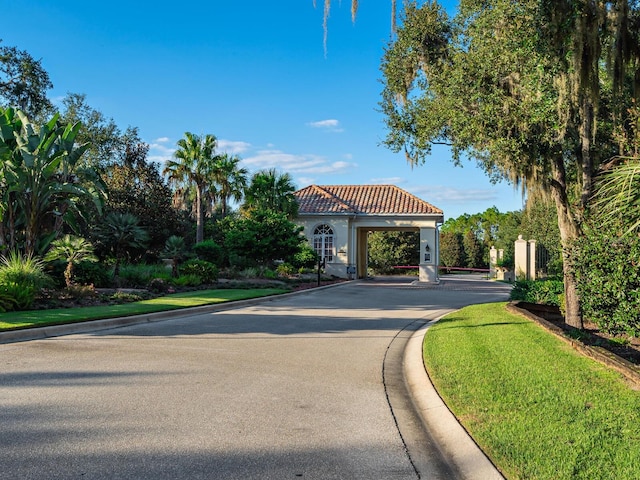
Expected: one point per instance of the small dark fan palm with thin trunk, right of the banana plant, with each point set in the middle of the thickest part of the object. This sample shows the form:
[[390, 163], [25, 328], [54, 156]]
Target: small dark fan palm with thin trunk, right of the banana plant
[[119, 232]]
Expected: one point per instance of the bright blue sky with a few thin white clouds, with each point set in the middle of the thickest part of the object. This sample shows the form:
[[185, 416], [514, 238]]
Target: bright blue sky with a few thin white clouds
[[255, 75]]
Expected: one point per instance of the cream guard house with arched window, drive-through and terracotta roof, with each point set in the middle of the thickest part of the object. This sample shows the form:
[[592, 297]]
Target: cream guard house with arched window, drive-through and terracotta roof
[[338, 218]]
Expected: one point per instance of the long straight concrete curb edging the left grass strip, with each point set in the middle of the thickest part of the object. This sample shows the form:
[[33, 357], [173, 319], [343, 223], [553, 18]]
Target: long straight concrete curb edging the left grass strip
[[41, 333]]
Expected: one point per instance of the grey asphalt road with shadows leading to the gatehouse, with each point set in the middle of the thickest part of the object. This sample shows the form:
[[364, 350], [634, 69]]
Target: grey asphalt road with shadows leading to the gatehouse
[[307, 386]]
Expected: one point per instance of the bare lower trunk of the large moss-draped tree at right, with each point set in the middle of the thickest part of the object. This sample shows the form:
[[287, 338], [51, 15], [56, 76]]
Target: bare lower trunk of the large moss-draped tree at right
[[569, 232]]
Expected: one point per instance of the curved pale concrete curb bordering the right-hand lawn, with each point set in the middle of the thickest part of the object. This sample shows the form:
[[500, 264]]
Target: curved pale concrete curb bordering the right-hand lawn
[[453, 439]]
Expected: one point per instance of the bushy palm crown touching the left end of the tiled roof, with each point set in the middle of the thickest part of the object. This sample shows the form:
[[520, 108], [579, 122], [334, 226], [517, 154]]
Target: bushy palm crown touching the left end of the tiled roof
[[270, 190]]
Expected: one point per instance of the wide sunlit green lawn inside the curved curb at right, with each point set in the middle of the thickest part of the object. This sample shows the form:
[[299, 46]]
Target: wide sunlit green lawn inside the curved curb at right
[[538, 409]]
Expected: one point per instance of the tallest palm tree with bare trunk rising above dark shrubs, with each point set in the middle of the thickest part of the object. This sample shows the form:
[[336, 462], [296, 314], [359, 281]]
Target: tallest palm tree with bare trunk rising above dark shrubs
[[193, 166]]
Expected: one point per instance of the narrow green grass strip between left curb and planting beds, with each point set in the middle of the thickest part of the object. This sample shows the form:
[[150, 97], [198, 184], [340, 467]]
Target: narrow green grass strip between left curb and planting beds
[[39, 318]]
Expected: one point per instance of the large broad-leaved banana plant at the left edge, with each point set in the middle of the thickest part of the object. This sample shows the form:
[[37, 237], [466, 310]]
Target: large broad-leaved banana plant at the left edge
[[45, 179]]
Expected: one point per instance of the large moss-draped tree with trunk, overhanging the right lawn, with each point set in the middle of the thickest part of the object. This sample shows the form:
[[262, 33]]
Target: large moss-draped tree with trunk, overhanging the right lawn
[[532, 90]]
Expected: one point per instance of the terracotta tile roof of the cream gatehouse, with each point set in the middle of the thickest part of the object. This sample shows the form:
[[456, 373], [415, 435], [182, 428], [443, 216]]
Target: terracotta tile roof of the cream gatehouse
[[361, 199]]
